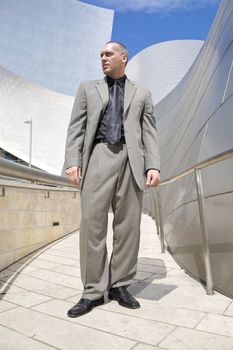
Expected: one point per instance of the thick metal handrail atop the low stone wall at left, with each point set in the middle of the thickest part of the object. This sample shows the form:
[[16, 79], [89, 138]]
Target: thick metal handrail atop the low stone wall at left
[[19, 171]]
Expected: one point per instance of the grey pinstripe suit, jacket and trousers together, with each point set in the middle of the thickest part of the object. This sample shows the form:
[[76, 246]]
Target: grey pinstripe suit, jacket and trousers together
[[111, 175]]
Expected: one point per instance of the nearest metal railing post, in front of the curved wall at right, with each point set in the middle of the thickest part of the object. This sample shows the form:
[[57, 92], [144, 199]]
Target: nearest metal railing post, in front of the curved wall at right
[[206, 251]]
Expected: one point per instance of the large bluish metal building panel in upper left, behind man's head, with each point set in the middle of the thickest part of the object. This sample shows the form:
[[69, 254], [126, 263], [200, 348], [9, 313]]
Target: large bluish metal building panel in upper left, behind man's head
[[53, 43]]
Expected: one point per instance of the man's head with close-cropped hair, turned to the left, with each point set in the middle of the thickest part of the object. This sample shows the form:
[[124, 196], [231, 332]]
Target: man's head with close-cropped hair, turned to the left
[[113, 60]]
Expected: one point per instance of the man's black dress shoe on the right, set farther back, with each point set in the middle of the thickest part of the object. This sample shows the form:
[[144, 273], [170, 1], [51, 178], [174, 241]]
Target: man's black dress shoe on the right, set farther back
[[123, 297]]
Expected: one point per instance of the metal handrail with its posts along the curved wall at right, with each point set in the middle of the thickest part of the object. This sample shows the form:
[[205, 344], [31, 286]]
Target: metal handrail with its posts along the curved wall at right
[[201, 205]]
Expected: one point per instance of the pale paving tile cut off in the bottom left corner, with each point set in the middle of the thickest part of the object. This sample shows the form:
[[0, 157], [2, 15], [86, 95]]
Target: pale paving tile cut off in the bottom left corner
[[11, 340]]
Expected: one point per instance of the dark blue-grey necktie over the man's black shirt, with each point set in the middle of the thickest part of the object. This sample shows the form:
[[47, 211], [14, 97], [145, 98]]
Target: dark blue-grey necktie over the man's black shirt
[[114, 115]]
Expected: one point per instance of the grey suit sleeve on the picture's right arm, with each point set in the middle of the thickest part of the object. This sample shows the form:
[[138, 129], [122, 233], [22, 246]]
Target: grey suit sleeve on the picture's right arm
[[149, 135]]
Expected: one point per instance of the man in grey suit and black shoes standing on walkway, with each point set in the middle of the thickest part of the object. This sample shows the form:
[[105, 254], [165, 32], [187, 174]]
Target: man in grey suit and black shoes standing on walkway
[[112, 154]]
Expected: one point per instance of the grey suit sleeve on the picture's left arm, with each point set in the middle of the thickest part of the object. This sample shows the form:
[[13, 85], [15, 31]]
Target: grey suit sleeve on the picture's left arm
[[76, 131]]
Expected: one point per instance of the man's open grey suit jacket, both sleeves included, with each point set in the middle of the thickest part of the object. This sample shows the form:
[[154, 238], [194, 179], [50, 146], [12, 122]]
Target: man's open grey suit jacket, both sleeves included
[[139, 127]]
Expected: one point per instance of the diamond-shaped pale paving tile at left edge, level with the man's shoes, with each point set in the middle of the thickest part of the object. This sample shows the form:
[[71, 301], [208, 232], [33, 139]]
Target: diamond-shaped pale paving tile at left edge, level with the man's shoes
[[25, 298]]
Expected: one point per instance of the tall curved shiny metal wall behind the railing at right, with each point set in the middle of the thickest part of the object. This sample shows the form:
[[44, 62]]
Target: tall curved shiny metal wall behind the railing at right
[[195, 122]]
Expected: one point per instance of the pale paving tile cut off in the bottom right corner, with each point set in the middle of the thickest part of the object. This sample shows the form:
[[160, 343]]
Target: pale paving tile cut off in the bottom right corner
[[189, 339]]
